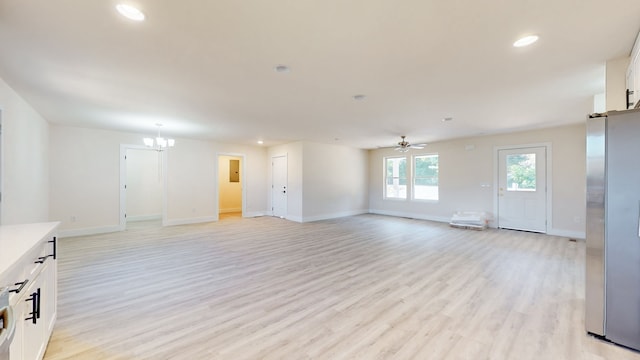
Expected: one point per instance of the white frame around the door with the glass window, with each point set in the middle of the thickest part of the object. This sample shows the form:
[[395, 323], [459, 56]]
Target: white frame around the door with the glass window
[[548, 177]]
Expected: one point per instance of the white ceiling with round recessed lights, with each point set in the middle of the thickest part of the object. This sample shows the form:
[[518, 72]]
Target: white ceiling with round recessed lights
[[204, 69]]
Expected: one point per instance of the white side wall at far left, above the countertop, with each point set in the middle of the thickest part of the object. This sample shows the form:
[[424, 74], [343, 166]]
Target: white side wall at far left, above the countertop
[[25, 161]]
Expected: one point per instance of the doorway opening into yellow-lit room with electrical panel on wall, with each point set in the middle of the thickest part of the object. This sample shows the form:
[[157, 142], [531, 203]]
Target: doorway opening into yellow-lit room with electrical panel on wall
[[230, 186]]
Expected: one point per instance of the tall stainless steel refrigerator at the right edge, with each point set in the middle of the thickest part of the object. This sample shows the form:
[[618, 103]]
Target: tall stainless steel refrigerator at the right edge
[[613, 227]]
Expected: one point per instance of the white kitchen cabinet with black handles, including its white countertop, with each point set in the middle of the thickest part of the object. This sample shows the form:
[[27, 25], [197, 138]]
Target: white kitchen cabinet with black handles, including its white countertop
[[30, 271]]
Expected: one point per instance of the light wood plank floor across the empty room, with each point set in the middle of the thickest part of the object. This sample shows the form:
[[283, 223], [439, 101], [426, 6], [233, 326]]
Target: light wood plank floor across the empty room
[[363, 287]]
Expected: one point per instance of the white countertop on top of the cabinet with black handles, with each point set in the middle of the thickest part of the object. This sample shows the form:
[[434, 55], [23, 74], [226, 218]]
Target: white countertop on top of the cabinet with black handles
[[17, 240]]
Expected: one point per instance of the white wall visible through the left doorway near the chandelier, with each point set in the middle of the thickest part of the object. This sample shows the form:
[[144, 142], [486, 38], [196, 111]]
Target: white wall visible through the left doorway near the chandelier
[[144, 185]]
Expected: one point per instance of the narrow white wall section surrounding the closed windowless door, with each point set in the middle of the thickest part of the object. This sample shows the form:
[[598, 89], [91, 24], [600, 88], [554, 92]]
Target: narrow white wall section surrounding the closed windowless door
[[293, 151]]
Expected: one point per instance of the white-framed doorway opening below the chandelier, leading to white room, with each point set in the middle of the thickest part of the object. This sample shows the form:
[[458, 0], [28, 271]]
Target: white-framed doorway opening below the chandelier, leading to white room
[[142, 187]]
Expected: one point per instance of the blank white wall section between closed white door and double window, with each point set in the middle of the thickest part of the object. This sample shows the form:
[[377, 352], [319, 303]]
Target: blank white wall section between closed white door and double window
[[335, 181]]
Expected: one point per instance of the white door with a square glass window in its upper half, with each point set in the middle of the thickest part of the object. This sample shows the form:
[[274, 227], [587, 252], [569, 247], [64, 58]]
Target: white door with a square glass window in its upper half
[[522, 189]]
